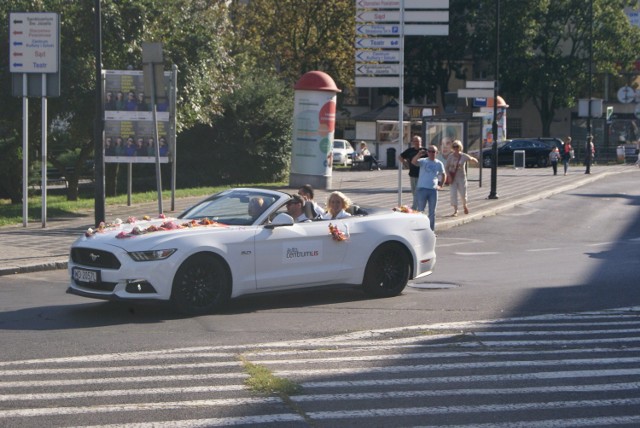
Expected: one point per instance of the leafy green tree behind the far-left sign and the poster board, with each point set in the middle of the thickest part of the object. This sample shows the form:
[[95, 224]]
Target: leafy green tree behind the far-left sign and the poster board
[[199, 47]]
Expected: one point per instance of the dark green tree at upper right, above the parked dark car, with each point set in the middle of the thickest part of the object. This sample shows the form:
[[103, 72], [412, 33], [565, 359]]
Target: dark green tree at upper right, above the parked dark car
[[544, 49]]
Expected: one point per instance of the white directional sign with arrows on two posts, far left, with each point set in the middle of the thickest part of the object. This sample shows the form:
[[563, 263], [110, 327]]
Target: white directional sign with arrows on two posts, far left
[[34, 42]]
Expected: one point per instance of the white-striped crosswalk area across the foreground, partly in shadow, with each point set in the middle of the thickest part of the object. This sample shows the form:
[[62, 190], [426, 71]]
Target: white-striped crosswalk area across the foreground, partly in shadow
[[542, 371]]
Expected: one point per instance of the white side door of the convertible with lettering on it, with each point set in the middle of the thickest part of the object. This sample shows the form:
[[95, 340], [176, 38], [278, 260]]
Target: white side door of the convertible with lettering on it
[[299, 254]]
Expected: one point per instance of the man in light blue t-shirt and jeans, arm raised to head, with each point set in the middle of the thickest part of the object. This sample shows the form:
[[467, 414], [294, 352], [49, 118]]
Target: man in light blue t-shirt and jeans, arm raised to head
[[432, 174]]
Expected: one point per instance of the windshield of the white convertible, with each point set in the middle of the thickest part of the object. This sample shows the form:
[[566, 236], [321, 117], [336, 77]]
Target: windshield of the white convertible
[[235, 207]]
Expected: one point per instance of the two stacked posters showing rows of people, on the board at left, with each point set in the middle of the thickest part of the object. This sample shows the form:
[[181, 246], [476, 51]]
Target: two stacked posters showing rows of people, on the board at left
[[129, 127]]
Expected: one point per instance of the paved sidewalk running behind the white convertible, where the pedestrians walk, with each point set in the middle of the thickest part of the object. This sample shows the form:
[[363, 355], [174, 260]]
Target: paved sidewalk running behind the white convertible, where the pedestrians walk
[[35, 248]]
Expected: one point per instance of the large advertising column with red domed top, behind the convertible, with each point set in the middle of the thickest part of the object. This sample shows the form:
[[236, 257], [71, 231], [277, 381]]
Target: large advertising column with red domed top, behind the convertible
[[314, 119]]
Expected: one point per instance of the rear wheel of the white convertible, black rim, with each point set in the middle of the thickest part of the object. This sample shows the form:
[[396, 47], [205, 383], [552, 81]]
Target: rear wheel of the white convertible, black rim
[[387, 271]]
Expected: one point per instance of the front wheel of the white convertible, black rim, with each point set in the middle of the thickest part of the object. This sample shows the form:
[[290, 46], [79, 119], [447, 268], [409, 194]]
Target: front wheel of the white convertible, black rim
[[201, 285]]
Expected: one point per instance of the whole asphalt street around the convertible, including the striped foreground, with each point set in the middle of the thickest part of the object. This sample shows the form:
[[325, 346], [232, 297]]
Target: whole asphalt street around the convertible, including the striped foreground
[[530, 319]]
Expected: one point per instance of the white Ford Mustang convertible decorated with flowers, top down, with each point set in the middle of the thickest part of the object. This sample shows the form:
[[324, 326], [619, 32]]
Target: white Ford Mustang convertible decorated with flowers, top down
[[224, 247]]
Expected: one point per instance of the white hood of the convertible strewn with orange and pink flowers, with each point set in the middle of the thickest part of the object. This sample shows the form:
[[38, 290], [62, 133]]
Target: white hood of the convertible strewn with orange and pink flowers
[[134, 234]]
